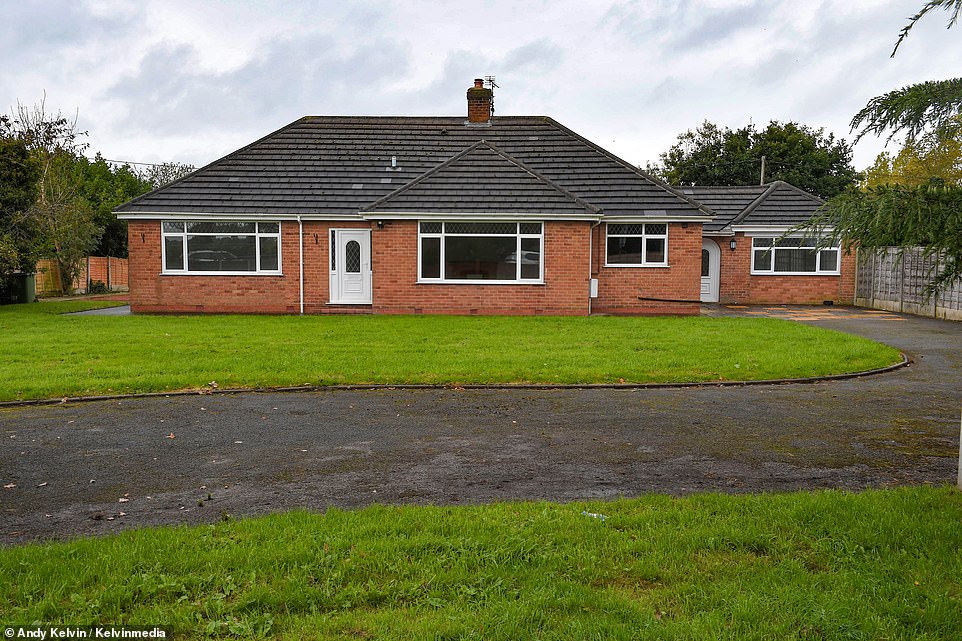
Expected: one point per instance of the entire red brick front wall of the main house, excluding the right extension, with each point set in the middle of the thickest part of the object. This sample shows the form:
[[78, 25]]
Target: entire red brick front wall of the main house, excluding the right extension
[[396, 290]]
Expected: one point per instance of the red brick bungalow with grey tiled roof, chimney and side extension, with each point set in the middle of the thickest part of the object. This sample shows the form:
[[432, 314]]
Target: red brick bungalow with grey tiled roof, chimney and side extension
[[484, 215]]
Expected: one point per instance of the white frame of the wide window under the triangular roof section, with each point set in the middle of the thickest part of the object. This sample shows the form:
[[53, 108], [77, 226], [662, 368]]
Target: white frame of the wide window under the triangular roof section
[[444, 235]]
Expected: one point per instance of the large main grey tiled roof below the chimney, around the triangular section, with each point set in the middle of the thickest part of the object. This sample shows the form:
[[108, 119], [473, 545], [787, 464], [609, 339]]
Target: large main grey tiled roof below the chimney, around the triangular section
[[337, 166]]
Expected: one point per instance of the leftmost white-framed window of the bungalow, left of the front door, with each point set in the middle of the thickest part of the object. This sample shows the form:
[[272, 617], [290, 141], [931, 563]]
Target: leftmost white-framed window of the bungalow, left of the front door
[[221, 247]]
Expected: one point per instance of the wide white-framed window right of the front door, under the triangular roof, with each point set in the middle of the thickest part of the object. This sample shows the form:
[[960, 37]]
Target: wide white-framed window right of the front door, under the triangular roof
[[492, 252]]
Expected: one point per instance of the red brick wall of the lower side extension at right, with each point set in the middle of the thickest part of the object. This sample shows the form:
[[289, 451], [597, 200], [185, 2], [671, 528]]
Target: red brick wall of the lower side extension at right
[[738, 285]]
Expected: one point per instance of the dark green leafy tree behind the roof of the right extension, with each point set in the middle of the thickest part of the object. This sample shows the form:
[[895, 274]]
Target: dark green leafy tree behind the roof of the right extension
[[800, 155]]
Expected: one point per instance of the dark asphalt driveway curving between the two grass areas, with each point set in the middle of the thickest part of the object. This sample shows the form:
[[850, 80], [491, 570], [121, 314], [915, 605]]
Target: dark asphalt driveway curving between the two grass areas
[[94, 468]]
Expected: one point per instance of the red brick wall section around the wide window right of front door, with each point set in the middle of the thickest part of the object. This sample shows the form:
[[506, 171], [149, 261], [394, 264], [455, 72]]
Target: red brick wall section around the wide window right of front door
[[564, 291]]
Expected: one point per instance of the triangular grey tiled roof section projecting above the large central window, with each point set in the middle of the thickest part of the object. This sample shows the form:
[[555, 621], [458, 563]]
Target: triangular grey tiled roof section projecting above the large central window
[[483, 179]]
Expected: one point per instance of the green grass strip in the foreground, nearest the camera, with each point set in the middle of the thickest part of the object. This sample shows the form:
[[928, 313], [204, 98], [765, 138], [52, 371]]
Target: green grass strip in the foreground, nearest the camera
[[824, 565]]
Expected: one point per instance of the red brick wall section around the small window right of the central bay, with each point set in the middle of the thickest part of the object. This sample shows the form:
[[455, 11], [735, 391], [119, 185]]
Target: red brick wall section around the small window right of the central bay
[[621, 289]]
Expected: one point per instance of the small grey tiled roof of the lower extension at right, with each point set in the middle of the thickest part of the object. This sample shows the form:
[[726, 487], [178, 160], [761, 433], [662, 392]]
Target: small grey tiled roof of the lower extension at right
[[777, 204]]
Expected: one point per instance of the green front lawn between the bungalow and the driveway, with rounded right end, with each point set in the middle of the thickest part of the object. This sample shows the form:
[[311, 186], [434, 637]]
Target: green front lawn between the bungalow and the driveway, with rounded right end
[[45, 354]]
